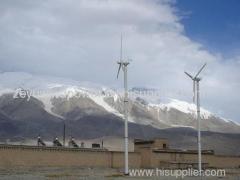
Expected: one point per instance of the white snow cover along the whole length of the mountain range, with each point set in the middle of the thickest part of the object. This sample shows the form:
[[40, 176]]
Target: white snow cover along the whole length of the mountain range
[[151, 111]]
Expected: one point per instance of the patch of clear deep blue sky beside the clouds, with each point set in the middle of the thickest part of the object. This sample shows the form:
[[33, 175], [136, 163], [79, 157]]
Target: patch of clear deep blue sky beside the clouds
[[214, 23]]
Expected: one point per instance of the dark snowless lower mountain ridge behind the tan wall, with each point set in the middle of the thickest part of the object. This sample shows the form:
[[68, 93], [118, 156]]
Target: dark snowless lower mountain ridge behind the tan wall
[[27, 123]]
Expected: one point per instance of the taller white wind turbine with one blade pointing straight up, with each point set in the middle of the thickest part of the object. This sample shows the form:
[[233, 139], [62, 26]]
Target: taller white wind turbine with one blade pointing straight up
[[123, 65]]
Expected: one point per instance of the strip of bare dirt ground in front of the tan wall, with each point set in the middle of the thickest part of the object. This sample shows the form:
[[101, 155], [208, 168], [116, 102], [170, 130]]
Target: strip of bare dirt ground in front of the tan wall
[[78, 173]]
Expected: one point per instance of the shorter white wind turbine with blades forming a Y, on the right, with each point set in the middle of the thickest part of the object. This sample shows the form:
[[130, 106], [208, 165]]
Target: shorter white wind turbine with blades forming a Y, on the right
[[196, 81]]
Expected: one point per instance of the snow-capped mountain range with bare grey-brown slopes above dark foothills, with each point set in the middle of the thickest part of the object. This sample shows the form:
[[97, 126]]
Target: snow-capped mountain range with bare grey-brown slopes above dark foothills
[[68, 99]]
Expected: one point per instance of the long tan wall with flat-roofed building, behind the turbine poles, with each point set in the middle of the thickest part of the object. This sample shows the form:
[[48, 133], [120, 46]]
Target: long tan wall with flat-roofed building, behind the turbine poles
[[147, 154]]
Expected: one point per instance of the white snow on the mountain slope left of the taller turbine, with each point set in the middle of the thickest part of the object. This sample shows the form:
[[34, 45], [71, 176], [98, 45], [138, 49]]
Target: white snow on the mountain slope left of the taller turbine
[[44, 88]]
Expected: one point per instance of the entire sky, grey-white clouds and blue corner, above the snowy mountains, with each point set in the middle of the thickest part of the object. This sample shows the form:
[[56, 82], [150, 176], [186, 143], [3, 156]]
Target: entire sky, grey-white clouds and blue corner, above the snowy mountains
[[80, 39]]
